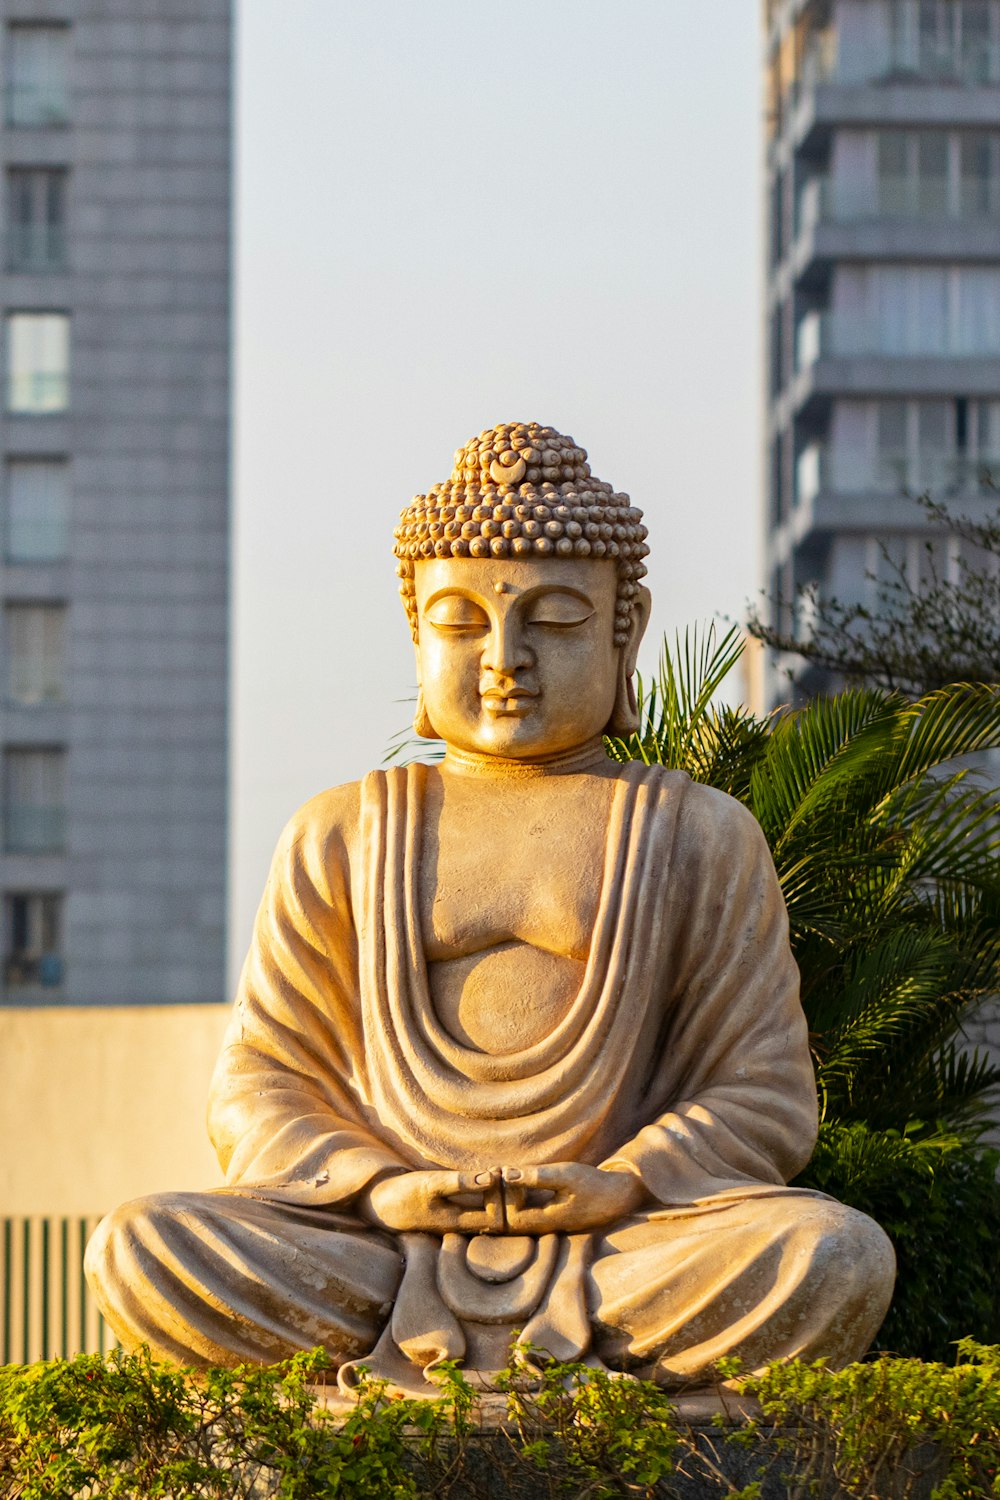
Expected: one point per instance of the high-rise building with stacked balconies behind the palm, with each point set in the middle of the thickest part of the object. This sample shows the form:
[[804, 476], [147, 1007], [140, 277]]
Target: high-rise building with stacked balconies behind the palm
[[884, 286]]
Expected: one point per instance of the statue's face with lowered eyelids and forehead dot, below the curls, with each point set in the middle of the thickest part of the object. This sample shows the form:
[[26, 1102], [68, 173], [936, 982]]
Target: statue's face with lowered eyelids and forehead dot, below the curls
[[516, 658]]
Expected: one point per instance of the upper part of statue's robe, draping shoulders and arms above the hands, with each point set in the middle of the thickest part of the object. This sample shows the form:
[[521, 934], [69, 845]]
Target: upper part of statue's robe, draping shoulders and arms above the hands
[[684, 1058]]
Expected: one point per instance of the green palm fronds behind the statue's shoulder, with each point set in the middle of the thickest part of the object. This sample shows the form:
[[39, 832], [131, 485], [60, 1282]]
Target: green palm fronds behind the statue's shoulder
[[888, 862]]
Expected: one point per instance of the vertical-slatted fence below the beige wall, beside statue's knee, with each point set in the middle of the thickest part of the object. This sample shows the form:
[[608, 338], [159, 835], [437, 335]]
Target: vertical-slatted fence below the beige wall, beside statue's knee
[[49, 1310]]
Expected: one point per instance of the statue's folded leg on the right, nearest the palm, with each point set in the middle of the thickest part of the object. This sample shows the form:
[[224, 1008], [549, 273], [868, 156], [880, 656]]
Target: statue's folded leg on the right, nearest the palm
[[782, 1274]]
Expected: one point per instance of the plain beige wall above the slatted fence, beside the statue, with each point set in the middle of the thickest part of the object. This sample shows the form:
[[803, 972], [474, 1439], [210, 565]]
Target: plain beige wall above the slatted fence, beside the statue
[[100, 1105]]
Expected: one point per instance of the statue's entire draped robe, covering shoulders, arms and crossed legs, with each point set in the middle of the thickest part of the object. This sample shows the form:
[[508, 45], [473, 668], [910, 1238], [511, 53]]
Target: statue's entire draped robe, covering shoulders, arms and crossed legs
[[683, 1060]]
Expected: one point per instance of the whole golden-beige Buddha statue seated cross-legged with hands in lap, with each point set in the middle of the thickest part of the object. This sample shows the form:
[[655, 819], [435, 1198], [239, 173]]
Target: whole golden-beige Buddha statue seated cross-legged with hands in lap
[[518, 1049]]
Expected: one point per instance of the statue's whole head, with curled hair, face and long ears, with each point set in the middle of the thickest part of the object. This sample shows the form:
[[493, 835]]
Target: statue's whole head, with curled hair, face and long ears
[[521, 577]]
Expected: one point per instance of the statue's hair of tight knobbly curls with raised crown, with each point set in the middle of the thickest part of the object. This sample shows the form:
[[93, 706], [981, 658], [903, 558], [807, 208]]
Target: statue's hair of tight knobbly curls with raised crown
[[524, 491]]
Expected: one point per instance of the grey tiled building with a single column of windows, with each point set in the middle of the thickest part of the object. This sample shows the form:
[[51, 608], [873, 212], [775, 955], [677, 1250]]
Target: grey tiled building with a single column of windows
[[115, 458]]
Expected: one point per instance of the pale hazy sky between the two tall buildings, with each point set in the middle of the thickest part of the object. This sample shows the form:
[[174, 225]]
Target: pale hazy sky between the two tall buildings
[[452, 214]]
